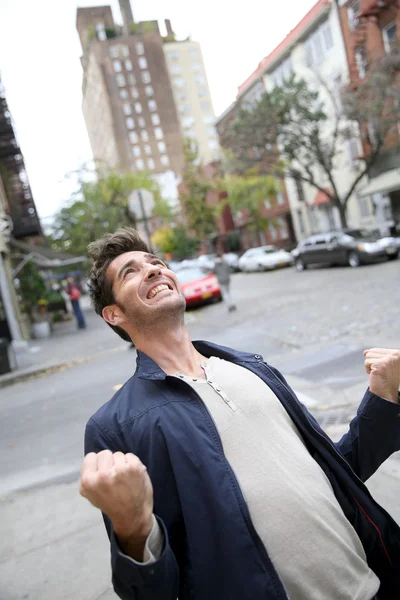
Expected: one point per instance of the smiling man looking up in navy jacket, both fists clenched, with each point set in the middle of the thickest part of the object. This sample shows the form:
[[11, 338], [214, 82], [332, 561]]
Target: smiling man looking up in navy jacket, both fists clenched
[[214, 481]]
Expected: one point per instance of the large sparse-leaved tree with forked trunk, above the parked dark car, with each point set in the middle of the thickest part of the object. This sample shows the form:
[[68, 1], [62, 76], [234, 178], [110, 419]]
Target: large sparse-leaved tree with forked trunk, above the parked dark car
[[292, 132]]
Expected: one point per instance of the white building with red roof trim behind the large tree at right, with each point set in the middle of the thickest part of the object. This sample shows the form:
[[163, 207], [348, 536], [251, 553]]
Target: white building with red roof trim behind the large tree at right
[[315, 51]]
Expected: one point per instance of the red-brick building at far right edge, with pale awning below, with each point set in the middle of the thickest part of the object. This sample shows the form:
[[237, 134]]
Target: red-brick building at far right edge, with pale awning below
[[371, 30]]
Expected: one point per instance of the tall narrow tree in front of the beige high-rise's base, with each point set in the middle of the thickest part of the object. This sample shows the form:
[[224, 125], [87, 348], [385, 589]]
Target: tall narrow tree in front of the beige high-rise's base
[[200, 216]]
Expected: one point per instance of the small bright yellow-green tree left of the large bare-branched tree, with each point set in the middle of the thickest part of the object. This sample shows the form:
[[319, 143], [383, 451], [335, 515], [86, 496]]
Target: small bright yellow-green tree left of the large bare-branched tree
[[248, 193]]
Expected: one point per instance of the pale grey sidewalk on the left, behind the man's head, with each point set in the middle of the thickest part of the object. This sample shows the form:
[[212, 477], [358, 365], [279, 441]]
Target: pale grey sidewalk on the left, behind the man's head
[[66, 346]]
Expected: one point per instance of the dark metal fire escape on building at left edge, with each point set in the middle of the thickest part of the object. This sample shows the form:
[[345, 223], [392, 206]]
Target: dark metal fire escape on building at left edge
[[21, 206]]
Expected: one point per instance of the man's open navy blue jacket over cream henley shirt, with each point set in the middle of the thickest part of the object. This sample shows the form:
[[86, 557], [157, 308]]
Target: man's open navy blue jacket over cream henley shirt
[[212, 551]]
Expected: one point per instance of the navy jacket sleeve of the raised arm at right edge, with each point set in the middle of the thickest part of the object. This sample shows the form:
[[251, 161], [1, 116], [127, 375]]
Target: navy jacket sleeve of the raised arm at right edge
[[373, 435]]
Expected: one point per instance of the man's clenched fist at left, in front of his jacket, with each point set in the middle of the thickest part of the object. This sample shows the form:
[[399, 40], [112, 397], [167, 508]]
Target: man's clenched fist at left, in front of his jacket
[[119, 485]]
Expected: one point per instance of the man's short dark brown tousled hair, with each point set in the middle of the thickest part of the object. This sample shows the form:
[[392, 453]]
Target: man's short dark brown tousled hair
[[102, 252]]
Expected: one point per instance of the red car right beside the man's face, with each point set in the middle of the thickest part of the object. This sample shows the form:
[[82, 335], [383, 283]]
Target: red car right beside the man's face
[[199, 286]]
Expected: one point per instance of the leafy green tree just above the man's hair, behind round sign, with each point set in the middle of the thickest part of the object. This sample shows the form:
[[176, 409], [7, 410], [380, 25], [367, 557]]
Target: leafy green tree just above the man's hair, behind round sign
[[96, 208]]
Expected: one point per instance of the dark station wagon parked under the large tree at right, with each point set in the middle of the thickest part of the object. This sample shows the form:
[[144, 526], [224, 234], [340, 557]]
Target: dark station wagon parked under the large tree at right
[[354, 248]]
